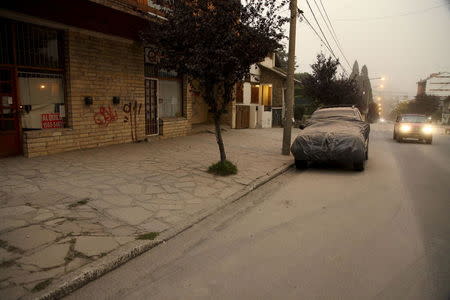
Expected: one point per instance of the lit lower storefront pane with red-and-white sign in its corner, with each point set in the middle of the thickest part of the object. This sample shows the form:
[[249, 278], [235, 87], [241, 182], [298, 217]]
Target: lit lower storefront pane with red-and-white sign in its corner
[[42, 97]]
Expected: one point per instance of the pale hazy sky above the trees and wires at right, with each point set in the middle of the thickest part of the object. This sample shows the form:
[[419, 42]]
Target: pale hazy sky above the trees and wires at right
[[404, 48]]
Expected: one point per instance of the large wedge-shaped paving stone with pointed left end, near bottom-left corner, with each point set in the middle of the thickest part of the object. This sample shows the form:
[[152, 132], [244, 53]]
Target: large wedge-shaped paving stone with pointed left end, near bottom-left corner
[[49, 257]]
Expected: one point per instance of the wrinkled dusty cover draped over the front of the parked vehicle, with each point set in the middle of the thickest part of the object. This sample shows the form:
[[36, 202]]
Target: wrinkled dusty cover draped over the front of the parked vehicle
[[332, 138]]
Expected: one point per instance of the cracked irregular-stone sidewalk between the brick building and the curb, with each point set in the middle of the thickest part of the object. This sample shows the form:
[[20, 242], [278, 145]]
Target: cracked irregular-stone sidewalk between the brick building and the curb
[[60, 212]]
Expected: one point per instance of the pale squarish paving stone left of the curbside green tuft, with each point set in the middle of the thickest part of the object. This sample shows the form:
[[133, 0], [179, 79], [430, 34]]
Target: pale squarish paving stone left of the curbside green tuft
[[90, 245]]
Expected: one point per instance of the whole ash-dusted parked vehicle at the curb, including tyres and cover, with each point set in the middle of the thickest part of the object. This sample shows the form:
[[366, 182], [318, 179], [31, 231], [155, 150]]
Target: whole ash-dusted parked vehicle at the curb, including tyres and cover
[[333, 134]]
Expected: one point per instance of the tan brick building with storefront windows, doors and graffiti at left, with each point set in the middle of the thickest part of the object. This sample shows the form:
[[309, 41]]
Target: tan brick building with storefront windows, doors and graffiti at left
[[75, 75]]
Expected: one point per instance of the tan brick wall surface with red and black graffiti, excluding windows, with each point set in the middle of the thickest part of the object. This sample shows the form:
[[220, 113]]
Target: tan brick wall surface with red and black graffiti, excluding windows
[[103, 68]]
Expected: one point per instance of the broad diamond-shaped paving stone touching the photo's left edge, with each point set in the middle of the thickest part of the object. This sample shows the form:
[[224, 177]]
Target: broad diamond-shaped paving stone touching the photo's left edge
[[29, 237]]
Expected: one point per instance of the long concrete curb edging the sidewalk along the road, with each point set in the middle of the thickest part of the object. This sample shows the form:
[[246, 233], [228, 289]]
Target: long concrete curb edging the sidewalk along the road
[[118, 257]]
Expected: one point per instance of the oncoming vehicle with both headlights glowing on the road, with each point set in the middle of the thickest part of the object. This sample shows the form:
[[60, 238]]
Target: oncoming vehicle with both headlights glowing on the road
[[413, 126]]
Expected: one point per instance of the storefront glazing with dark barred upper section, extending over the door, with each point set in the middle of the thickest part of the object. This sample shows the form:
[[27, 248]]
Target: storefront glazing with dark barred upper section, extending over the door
[[36, 53]]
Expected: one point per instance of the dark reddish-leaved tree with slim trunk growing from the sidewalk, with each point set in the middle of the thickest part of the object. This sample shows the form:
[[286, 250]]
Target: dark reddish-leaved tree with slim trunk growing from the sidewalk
[[214, 43]]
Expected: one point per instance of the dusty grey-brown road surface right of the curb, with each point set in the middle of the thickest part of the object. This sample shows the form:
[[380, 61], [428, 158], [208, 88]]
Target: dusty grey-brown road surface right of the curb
[[324, 233]]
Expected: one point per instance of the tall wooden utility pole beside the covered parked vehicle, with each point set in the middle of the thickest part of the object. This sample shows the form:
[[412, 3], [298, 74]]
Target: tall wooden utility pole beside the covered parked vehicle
[[289, 103]]
